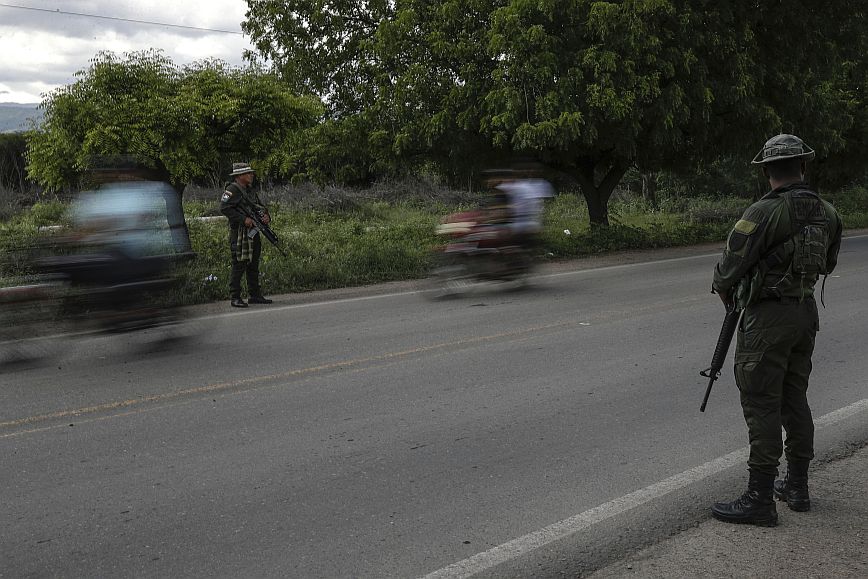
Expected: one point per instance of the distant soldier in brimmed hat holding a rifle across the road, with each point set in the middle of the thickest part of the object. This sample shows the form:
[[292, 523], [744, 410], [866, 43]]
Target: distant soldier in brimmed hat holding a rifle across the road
[[244, 240]]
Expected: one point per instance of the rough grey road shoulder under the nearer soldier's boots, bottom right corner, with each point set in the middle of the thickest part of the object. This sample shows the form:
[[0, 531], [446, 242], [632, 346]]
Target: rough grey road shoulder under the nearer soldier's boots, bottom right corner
[[827, 541]]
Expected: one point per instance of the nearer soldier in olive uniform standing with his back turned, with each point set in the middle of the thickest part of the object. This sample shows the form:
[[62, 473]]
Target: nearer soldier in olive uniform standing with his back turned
[[774, 256]]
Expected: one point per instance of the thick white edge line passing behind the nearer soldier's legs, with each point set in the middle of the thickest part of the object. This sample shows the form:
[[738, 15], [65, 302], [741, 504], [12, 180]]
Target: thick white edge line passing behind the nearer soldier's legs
[[523, 545]]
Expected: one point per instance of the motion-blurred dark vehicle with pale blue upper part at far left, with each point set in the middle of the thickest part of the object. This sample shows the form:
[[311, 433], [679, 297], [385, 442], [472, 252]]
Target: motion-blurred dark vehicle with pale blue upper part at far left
[[114, 270]]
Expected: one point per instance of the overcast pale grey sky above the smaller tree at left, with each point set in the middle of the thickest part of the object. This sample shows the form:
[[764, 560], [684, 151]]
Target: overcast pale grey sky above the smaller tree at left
[[42, 46]]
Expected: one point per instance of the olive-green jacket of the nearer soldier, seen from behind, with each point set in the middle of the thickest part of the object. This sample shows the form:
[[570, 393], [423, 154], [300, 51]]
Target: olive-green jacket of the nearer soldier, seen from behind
[[759, 250]]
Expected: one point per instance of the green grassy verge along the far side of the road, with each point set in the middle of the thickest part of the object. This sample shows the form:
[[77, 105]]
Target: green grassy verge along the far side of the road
[[335, 239]]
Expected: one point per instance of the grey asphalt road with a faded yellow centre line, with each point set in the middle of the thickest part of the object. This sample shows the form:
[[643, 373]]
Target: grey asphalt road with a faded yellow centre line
[[383, 435]]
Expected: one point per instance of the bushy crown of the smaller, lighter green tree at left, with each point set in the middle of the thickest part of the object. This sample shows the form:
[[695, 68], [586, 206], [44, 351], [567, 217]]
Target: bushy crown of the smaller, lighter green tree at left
[[185, 122]]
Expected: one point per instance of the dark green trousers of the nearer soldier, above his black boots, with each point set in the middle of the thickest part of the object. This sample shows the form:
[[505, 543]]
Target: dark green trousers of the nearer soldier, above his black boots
[[772, 367]]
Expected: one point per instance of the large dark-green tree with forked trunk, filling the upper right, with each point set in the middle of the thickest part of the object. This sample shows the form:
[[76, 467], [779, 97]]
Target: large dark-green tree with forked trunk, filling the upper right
[[590, 87]]
